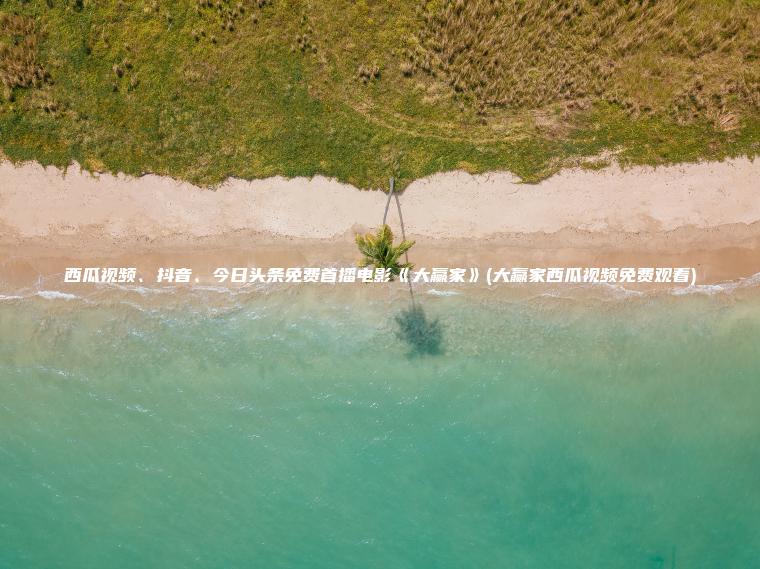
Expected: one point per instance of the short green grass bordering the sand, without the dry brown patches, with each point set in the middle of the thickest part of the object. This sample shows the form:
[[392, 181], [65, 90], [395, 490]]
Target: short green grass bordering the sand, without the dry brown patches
[[251, 106]]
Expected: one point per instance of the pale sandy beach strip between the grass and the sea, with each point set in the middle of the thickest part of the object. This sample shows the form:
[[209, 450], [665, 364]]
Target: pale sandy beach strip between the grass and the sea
[[702, 215]]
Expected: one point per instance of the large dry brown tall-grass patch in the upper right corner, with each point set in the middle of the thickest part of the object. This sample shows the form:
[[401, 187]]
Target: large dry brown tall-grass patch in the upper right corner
[[687, 57]]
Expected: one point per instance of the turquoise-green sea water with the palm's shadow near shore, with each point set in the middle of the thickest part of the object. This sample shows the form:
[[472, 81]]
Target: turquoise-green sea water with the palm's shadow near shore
[[318, 430]]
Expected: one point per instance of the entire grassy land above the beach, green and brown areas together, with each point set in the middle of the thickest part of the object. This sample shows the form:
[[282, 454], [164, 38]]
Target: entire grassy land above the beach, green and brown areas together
[[362, 89]]
